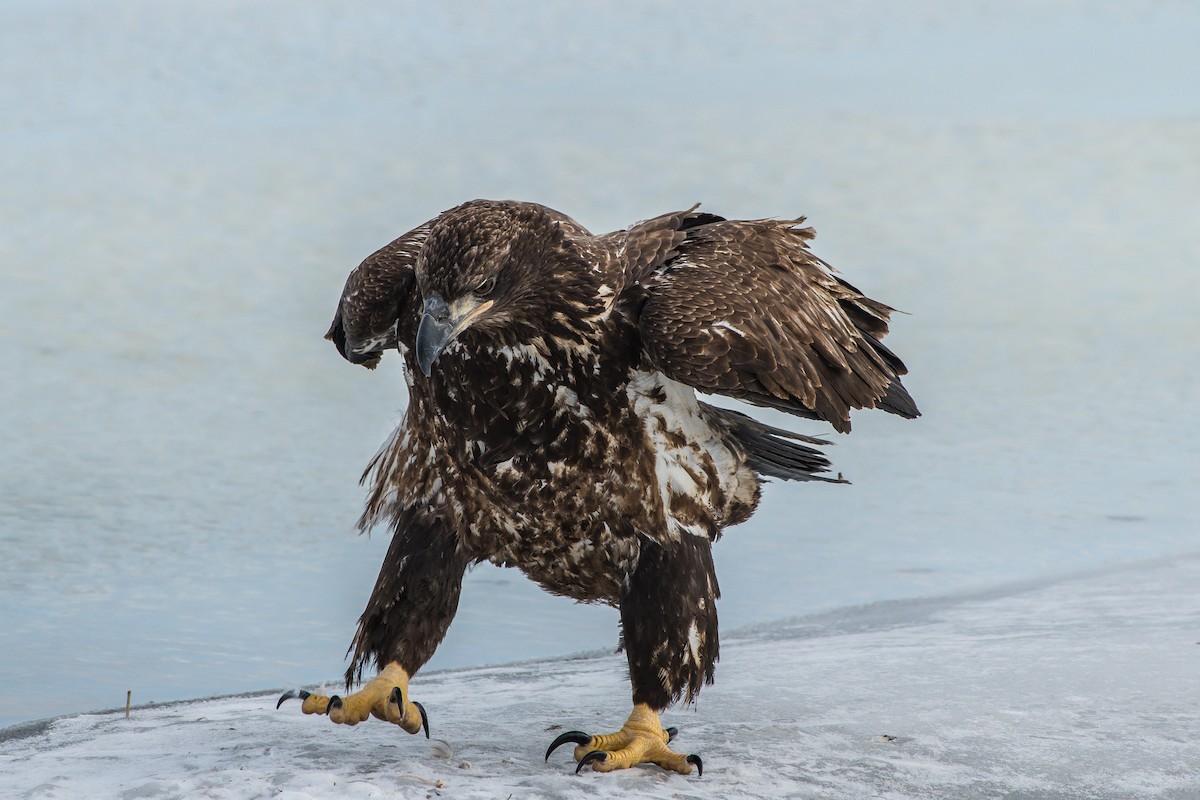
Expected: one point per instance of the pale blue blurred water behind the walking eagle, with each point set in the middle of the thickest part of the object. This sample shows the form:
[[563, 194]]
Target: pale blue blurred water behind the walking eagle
[[184, 188]]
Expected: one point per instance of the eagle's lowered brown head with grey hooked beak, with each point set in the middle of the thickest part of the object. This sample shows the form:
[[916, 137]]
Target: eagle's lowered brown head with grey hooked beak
[[499, 272]]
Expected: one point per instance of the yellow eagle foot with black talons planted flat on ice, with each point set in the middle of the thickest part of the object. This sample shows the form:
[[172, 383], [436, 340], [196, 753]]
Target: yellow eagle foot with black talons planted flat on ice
[[641, 741]]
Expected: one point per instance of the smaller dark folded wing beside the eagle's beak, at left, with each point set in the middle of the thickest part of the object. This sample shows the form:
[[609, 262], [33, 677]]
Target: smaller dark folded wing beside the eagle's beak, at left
[[380, 293]]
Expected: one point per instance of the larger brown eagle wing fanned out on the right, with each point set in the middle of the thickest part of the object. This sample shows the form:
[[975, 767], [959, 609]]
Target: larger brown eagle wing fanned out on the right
[[743, 309]]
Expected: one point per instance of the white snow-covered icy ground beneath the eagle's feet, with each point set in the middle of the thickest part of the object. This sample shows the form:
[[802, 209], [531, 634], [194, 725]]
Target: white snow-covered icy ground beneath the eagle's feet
[[1087, 687]]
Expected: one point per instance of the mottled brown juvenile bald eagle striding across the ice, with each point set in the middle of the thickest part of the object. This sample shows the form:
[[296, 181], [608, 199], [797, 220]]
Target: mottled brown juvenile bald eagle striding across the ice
[[554, 426]]
